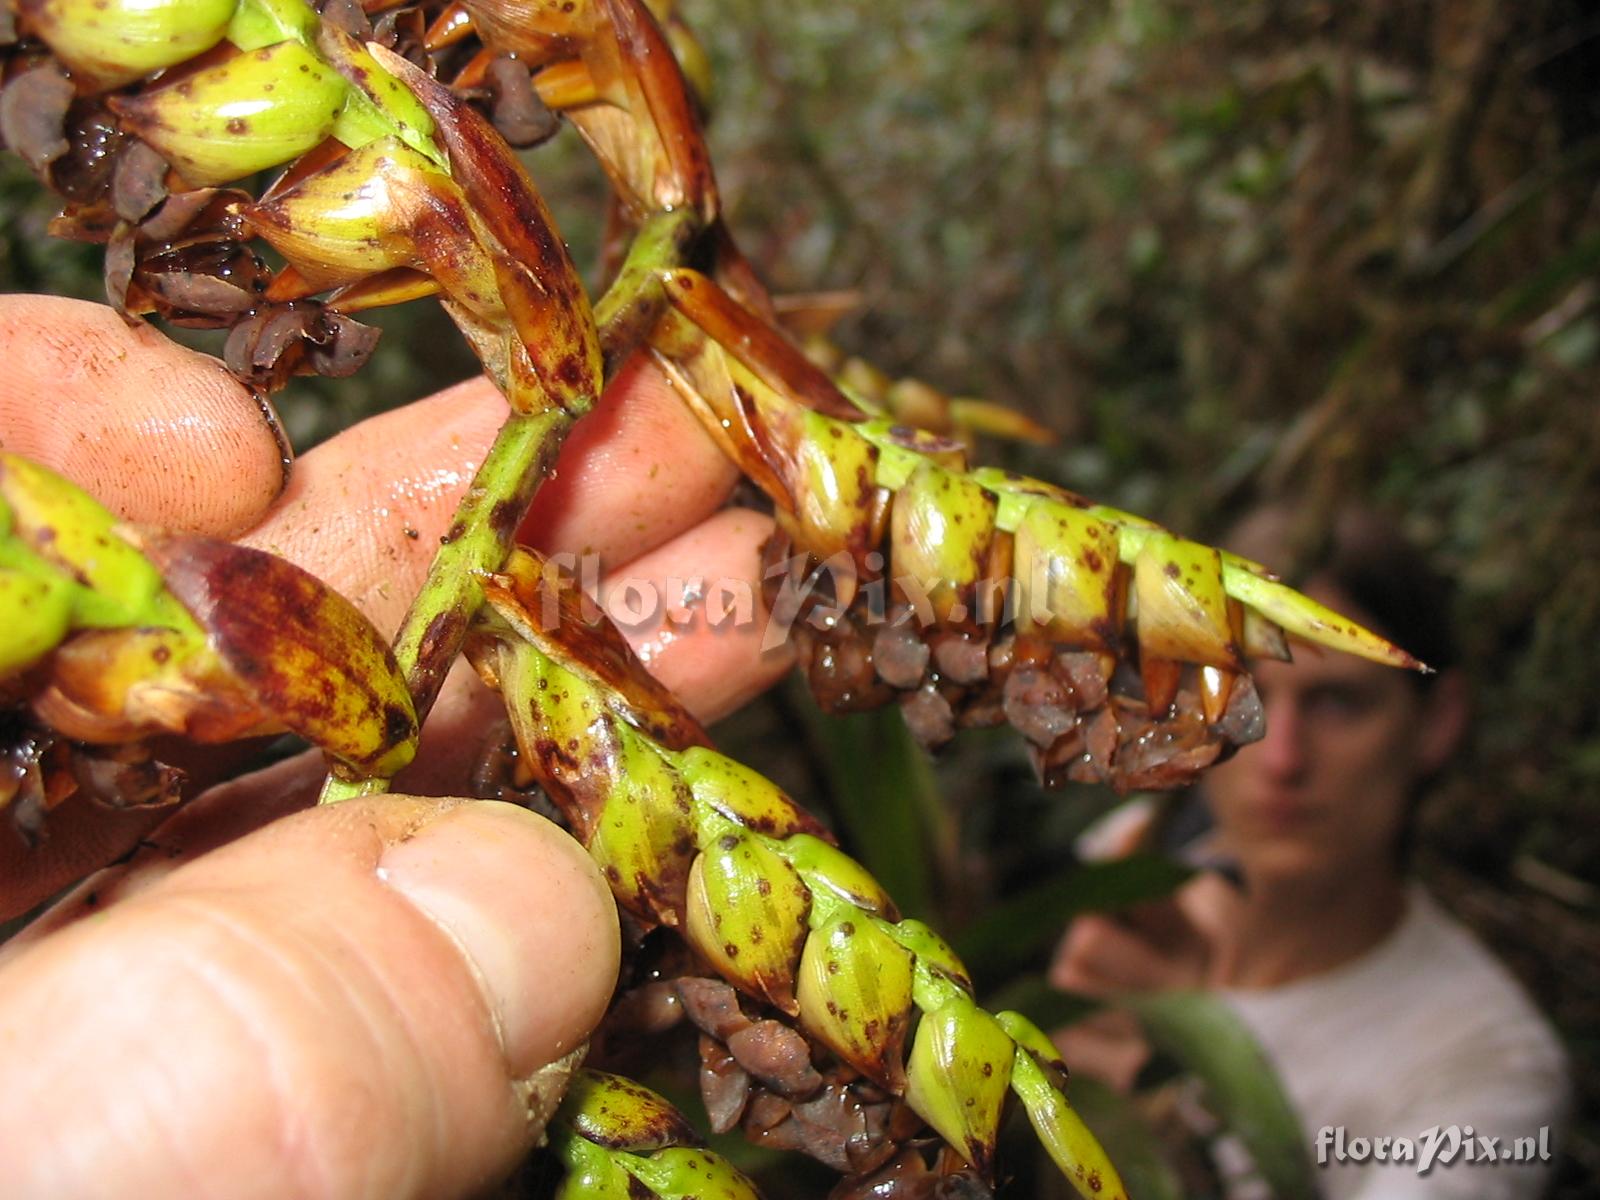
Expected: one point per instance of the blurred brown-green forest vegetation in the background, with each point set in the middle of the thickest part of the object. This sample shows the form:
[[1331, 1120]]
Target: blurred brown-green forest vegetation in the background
[[1228, 252]]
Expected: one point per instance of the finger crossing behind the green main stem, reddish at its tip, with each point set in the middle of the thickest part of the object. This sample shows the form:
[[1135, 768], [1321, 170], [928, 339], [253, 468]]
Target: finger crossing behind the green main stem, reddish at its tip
[[366, 511]]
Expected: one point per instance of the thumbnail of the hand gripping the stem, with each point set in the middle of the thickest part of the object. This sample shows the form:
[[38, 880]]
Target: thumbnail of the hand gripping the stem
[[529, 913]]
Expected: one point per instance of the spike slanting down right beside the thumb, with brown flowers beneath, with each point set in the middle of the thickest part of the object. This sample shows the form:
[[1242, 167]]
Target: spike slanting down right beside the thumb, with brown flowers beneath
[[694, 841]]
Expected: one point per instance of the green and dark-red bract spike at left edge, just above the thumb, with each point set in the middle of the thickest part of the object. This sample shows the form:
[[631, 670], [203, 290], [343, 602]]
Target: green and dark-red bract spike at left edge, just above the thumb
[[150, 633]]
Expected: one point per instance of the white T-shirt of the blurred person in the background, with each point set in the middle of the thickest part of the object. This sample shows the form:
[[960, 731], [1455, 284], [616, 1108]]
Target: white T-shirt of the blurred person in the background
[[1423, 1033]]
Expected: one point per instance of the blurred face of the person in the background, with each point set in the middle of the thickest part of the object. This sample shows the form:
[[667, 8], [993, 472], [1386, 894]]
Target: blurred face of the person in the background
[[1326, 793]]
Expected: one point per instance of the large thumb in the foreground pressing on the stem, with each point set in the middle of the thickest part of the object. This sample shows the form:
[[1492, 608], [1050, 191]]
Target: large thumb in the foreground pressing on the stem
[[361, 1001]]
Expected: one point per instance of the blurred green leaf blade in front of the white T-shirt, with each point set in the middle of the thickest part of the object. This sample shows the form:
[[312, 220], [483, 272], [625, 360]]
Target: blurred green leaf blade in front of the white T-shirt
[[1207, 1038]]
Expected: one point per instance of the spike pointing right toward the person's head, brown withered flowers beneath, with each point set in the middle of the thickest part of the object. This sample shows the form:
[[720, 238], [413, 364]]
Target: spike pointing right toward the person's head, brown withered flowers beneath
[[982, 598]]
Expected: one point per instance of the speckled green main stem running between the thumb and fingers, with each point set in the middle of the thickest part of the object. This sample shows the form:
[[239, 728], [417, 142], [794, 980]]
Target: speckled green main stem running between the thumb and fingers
[[498, 500]]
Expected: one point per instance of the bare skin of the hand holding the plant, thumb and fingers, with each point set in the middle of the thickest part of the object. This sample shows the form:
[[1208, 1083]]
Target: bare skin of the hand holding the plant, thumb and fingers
[[351, 1001]]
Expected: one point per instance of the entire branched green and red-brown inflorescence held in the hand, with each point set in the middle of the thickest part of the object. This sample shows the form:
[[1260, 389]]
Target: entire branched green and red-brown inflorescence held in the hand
[[969, 596]]
